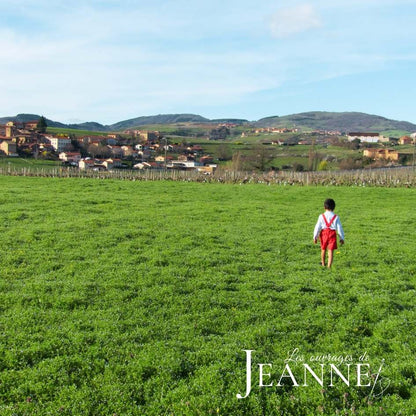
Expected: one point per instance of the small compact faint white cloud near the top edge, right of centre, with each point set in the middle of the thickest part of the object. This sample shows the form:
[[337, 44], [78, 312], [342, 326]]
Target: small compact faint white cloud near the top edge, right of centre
[[293, 20]]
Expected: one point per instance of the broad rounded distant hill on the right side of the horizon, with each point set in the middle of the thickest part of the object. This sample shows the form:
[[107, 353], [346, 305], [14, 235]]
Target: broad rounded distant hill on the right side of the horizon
[[345, 122]]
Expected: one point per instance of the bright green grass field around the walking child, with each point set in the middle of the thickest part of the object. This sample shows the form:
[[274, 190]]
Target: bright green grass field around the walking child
[[138, 298]]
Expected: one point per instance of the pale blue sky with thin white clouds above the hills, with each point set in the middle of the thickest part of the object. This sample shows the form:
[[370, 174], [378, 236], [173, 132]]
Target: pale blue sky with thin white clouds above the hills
[[112, 60]]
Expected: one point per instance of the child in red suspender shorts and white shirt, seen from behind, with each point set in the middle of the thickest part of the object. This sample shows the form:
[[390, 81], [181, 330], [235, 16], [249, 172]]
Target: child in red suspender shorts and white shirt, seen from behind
[[327, 227]]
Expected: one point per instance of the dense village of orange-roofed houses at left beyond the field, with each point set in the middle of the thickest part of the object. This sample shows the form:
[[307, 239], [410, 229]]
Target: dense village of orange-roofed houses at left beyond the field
[[137, 149]]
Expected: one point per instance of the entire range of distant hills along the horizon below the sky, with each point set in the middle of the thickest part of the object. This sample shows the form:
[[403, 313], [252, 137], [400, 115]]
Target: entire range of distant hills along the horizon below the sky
[[315, 120]]
